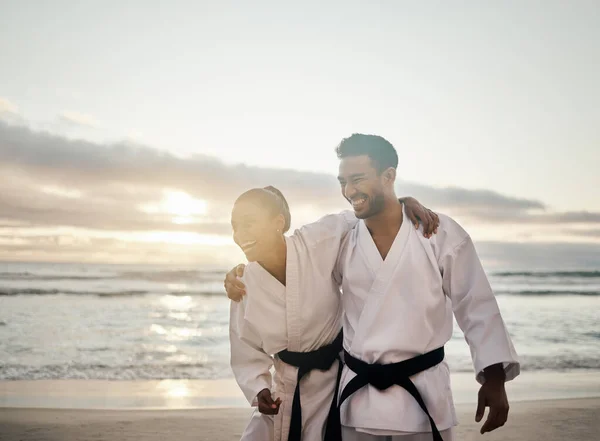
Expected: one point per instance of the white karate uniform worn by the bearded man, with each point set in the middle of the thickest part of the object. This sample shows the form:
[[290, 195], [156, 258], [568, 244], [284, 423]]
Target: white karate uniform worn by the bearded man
[[401, 307]]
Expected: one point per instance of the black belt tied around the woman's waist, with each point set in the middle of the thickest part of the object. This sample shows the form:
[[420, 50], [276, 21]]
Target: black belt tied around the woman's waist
[[322, 359]]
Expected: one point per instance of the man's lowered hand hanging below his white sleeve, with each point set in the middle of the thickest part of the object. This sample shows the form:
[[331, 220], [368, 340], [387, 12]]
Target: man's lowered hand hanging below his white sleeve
[[493, 395]]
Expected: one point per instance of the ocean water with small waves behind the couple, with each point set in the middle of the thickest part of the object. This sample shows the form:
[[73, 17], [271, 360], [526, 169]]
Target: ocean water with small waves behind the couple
[[129, 322]]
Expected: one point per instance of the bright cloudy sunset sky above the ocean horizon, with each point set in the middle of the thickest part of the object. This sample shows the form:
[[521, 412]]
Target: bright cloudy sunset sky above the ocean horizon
[[127, 130]]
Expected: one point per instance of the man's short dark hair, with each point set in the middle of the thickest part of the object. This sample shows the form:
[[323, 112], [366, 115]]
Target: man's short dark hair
[[381, 151]]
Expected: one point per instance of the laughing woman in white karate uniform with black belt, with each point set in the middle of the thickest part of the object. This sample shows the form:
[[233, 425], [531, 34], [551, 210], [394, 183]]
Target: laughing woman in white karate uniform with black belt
[[291, 319]]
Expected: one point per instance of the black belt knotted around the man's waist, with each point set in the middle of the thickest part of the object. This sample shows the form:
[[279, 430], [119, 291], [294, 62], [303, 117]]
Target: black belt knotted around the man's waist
[[383, 376]]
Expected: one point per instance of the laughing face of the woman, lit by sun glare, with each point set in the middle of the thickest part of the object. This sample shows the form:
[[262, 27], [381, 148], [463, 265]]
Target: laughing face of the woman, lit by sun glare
[[254, 228]]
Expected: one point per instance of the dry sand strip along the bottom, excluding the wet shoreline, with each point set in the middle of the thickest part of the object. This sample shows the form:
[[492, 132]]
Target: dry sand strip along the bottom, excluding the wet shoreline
[[547, 420]]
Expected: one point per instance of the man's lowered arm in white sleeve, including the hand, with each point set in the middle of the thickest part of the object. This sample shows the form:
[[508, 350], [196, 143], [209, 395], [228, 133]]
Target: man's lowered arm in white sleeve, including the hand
[[477, 313]]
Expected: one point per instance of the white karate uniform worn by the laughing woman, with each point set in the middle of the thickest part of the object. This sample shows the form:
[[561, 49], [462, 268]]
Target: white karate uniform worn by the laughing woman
[[302, 316]]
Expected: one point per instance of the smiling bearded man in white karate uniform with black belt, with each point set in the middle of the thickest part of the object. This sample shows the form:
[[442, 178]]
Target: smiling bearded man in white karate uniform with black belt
[[400, 290]]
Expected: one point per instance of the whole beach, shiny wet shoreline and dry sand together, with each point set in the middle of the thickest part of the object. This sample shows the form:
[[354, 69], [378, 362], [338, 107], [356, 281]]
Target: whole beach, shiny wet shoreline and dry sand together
[[545, 406]]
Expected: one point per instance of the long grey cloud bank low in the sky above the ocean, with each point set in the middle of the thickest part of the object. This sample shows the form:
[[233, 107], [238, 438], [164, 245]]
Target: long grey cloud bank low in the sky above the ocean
[[50, 180]]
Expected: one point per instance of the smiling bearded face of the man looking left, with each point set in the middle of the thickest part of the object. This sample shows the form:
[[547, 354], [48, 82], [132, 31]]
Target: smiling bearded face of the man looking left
[[362, 185]]
